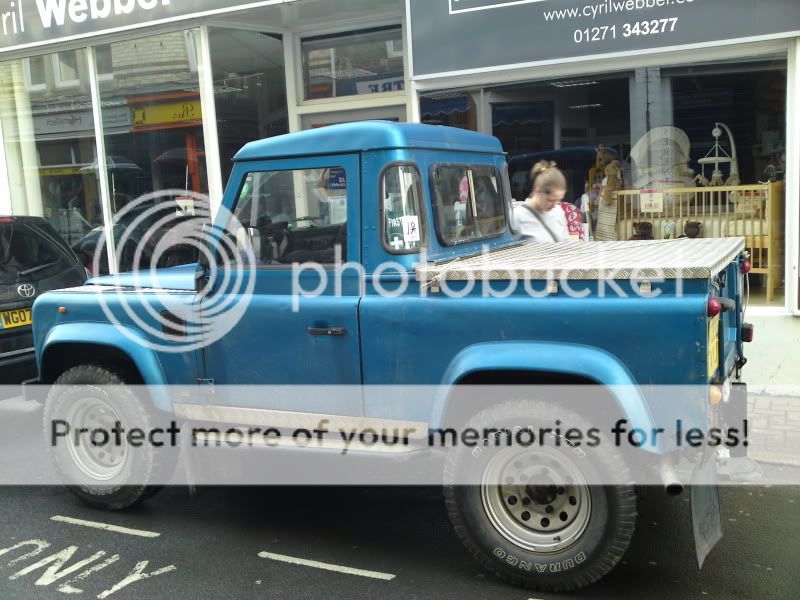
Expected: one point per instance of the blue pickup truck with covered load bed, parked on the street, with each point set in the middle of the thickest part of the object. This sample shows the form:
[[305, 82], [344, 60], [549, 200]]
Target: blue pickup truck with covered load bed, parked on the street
[[376, 254]]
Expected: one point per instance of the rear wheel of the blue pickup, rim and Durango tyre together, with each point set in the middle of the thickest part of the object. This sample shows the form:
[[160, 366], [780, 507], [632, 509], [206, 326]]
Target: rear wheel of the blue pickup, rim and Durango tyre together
[[534, 520]]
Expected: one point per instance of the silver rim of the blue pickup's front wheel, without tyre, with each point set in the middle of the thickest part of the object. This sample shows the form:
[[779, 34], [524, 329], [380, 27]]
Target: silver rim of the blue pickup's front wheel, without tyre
[[100, 461]]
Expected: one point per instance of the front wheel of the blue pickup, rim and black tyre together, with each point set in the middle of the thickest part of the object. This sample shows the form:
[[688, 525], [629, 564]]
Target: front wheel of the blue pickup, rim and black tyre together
[[109, 476]]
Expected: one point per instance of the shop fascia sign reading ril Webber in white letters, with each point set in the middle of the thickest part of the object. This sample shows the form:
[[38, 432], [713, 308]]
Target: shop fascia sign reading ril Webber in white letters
[[28, 22]]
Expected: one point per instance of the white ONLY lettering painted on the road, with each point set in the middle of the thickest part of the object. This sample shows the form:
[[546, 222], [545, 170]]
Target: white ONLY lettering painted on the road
[[57, 568]]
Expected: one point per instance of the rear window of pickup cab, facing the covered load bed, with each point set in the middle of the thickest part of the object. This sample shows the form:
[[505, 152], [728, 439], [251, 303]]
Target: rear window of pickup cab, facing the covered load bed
[[468, 203]]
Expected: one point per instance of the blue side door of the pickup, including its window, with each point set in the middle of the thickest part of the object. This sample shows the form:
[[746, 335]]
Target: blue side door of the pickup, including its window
[[295, 212]]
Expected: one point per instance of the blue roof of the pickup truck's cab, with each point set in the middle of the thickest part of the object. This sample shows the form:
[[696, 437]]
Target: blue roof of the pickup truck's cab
[[369, 135]]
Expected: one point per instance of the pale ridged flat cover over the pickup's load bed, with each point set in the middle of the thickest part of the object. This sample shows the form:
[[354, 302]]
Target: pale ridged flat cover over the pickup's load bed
[[644, 259]]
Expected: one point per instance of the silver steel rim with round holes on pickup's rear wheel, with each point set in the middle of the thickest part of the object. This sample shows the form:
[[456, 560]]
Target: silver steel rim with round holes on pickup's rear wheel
[[536, 499]]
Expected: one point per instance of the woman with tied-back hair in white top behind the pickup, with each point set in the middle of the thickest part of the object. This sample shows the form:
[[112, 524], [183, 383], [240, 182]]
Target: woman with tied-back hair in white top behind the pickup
[[534, 217]]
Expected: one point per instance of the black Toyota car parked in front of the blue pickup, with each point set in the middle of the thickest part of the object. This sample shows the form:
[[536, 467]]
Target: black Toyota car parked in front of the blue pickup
[[33, 260]]
